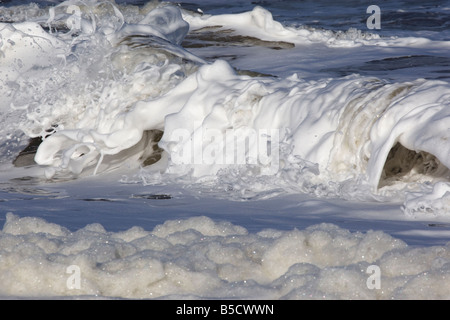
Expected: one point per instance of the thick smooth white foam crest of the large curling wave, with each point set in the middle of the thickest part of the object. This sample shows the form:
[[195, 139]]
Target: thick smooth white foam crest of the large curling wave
[[346, 127]]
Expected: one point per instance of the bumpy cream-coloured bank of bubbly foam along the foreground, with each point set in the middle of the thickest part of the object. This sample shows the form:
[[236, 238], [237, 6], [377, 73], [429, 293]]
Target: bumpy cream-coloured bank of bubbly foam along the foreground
[[202, 258]]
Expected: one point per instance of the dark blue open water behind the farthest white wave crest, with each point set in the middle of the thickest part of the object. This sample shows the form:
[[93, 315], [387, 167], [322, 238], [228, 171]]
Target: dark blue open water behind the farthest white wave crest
[[396, 16]]
